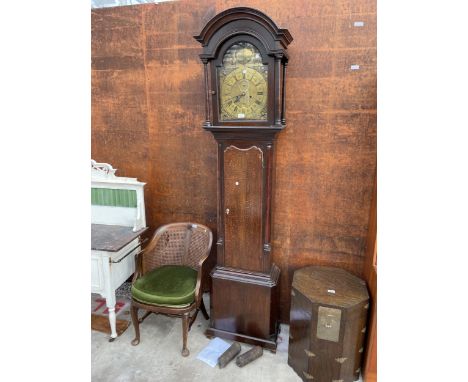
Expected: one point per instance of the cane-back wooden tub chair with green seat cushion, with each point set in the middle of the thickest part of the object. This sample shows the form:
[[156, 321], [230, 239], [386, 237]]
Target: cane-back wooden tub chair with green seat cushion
[[168, 276]]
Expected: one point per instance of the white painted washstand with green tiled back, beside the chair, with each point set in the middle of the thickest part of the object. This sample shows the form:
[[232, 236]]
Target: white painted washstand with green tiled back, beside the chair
[[117, 221]]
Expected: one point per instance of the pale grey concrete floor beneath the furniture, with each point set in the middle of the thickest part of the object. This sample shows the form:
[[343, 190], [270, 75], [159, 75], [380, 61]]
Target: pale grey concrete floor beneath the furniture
[[158, 358]]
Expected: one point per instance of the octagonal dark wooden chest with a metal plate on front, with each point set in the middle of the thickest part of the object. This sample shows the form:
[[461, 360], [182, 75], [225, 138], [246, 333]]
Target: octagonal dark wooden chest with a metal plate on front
[[328, 318]]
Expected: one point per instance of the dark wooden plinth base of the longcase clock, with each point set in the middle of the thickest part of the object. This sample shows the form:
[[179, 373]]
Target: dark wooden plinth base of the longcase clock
[[244, 306]]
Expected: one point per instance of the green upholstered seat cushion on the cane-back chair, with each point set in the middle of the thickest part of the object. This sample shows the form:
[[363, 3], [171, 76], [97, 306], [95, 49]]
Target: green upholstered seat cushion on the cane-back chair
[[170, 285]]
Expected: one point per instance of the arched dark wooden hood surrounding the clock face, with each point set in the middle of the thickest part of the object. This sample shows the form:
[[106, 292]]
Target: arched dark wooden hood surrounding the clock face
[[241, 25]]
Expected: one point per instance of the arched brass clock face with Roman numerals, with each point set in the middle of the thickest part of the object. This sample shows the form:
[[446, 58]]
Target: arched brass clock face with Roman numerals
[[243, 83]]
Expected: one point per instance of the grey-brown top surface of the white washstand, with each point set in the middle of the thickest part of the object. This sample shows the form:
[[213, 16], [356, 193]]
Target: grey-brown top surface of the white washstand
[[112, 238]]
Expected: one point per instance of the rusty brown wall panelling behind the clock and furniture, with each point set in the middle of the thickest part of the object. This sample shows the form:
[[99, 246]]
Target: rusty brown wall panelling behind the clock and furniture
[[148, 107]]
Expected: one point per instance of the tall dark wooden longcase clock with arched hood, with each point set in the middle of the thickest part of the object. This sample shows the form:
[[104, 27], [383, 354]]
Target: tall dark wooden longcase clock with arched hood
[[245, 59]]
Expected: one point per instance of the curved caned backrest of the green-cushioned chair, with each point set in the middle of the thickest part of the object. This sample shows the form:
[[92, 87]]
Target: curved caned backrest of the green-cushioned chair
[[178, 244]]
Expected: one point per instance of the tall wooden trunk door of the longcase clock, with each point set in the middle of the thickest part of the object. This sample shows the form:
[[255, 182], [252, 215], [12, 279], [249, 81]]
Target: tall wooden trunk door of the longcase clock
[[243, 190]]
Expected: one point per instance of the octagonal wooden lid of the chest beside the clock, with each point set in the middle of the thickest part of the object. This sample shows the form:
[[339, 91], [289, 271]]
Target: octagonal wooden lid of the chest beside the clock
[[330, 286]]
